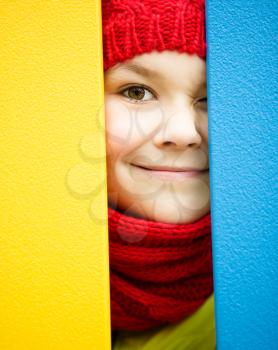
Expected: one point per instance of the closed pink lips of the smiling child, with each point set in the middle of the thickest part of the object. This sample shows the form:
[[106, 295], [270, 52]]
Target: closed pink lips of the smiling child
[[170, 173]]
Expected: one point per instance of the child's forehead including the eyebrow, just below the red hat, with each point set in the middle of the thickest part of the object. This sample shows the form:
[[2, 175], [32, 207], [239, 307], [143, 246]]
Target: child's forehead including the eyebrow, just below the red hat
[[166, 66]]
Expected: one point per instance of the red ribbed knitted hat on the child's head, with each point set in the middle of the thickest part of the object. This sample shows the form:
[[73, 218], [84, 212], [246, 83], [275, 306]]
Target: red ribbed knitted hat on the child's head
[[134, 27]]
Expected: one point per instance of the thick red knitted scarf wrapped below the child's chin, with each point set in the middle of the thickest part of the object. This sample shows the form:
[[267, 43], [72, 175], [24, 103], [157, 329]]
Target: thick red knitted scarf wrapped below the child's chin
[[159, 273]]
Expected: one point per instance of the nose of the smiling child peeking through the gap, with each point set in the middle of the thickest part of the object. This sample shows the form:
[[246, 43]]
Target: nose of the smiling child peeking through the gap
[[179, 130]]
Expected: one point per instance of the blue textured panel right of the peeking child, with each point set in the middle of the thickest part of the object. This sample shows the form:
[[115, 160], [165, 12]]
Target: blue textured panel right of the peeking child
[[243, 141]]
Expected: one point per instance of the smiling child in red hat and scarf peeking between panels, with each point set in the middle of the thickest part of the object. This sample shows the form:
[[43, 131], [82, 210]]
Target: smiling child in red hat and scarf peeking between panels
[[158, 174]]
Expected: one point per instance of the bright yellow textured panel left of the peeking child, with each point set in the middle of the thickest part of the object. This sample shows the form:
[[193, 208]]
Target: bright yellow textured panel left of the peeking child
[[54, 269]]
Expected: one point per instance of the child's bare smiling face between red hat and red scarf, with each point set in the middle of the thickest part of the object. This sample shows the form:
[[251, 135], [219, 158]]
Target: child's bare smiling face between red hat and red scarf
[[157, 137]]
